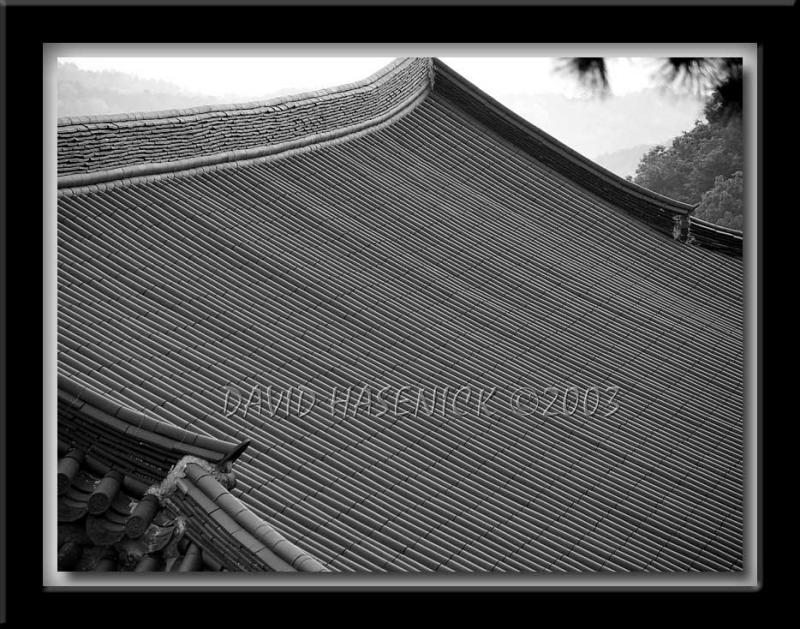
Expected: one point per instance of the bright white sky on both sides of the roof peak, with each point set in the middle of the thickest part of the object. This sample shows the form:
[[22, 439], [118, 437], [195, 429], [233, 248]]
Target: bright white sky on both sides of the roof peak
[[637, 112]]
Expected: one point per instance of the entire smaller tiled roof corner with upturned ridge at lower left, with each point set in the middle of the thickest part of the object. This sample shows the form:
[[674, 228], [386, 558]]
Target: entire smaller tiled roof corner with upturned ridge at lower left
[[110, 518]]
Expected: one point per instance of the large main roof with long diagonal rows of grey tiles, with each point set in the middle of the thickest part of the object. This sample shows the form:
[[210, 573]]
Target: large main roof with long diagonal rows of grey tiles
[[443, 242]]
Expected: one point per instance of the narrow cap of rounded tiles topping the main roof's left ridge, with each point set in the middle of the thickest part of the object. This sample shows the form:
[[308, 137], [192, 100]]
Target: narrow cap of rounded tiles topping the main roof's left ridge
[[225, 108]]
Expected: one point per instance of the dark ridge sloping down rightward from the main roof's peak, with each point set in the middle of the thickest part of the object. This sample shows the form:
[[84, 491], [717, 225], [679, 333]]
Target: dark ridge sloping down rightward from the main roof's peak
[[492, 106]]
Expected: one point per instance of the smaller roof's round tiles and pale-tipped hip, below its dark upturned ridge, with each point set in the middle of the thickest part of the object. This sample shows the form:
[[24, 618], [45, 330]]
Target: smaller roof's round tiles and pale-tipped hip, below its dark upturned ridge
[[188, 522]]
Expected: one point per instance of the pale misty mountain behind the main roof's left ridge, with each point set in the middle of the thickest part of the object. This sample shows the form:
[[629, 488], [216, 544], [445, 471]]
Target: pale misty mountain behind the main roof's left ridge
[[86, 92]]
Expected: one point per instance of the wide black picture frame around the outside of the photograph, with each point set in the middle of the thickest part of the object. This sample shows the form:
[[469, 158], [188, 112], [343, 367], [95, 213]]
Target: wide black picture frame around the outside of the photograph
[[26, 27]]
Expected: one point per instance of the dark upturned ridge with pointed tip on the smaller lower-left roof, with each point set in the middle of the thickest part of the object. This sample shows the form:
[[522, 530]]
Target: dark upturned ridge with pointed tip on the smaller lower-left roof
[[147, 429]]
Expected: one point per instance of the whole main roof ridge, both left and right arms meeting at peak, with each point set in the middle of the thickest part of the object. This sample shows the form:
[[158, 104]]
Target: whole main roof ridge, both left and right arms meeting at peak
[[97, 152]]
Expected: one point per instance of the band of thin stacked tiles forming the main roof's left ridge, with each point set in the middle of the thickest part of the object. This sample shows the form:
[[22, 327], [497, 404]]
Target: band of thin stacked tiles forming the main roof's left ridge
[[88, 145]]
